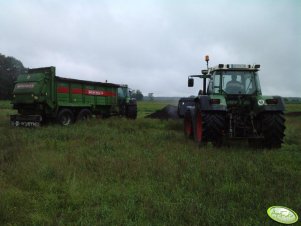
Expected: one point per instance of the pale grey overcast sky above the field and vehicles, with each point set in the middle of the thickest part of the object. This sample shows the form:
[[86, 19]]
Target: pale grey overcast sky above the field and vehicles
[[153, 45]]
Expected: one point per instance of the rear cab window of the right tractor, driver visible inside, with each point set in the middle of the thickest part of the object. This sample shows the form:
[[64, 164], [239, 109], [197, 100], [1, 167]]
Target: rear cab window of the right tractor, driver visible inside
[[235, 82]]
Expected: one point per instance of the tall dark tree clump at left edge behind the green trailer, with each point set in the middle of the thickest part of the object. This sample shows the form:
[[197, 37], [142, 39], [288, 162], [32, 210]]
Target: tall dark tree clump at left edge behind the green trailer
[[10, 68]]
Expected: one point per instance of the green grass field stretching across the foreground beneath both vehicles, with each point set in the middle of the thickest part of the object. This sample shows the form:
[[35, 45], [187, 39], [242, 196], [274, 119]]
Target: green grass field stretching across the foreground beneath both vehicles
[[142, 172]]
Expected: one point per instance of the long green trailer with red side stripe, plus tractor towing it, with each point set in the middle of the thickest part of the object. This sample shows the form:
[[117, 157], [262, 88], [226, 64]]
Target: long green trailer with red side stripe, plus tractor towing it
[[40, 96]]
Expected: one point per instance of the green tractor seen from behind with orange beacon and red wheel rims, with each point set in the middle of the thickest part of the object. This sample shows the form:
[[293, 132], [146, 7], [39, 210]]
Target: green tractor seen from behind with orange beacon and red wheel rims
[[233, 107]]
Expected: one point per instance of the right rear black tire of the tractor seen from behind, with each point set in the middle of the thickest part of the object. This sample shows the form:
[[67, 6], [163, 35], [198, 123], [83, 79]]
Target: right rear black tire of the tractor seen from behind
[[273, 129]]
